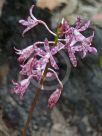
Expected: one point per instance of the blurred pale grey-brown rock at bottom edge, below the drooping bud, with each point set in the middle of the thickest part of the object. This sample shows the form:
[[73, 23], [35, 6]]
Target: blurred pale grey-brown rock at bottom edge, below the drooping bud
[[60, 127]]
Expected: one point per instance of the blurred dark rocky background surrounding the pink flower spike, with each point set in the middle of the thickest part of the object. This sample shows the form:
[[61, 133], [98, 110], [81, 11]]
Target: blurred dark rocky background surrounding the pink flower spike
[[79, 110]]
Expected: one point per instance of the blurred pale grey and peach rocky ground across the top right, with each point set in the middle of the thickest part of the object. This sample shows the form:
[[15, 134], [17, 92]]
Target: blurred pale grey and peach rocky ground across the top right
[[69, 9]]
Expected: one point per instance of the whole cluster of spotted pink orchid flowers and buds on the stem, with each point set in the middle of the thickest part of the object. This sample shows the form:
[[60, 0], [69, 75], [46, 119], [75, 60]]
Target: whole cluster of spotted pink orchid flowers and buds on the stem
[[33, 59]]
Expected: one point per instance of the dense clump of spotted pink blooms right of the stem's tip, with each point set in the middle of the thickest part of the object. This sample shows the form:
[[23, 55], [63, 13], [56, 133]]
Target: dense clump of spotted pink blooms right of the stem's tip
[[76, 42]]
